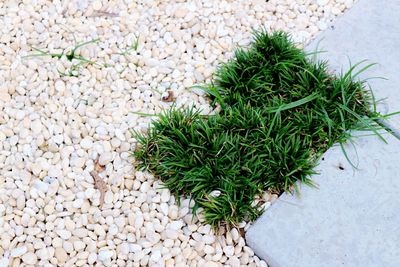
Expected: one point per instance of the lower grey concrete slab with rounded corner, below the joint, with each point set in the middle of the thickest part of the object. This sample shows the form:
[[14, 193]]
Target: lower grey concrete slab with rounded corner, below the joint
[[351, 220]]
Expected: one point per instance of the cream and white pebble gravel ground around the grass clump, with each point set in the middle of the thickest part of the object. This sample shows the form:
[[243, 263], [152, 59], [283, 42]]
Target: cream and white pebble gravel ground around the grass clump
[[54, 127]]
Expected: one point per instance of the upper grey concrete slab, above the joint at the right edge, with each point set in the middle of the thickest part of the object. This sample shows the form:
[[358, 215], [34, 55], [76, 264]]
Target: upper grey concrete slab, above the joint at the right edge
[[368, 31]]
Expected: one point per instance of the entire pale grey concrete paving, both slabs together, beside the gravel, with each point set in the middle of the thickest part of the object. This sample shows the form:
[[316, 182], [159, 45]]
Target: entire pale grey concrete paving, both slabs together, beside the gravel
[[353, 218]]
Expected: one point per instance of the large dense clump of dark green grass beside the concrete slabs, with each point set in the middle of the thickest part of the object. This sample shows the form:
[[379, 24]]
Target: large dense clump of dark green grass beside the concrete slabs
[[280, 111]]
